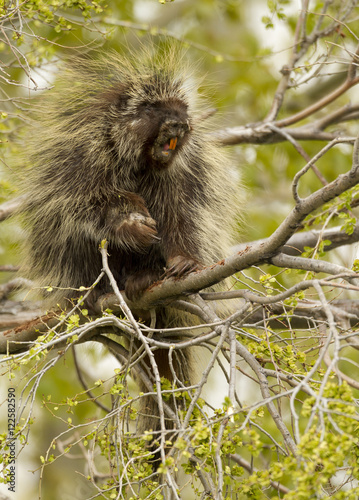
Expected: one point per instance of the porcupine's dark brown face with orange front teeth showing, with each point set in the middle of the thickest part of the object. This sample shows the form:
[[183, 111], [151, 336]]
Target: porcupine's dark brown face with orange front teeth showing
[[165, 127]]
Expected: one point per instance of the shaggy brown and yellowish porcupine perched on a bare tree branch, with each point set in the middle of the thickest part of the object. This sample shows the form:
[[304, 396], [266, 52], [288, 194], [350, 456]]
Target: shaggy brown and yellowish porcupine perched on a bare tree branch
[[119, 152]]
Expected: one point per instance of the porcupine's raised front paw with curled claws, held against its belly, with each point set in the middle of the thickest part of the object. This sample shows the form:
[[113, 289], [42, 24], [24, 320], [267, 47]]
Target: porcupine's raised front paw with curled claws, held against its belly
[[137, 231]]
